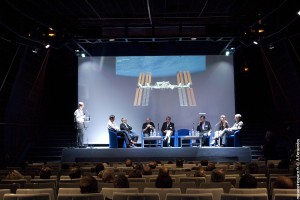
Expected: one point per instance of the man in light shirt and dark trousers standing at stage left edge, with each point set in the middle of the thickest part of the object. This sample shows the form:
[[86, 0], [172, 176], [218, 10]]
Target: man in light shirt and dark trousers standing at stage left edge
[[80, 117]]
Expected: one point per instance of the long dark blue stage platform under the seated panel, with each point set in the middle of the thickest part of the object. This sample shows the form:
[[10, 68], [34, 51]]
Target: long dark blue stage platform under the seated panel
[[217, 154]]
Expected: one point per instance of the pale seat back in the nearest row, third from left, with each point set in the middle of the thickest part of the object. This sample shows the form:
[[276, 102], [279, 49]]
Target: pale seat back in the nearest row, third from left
[[135, 196]]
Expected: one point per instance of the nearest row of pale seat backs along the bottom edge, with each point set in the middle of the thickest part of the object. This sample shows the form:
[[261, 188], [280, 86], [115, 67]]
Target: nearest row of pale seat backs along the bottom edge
[[151, 193]]
